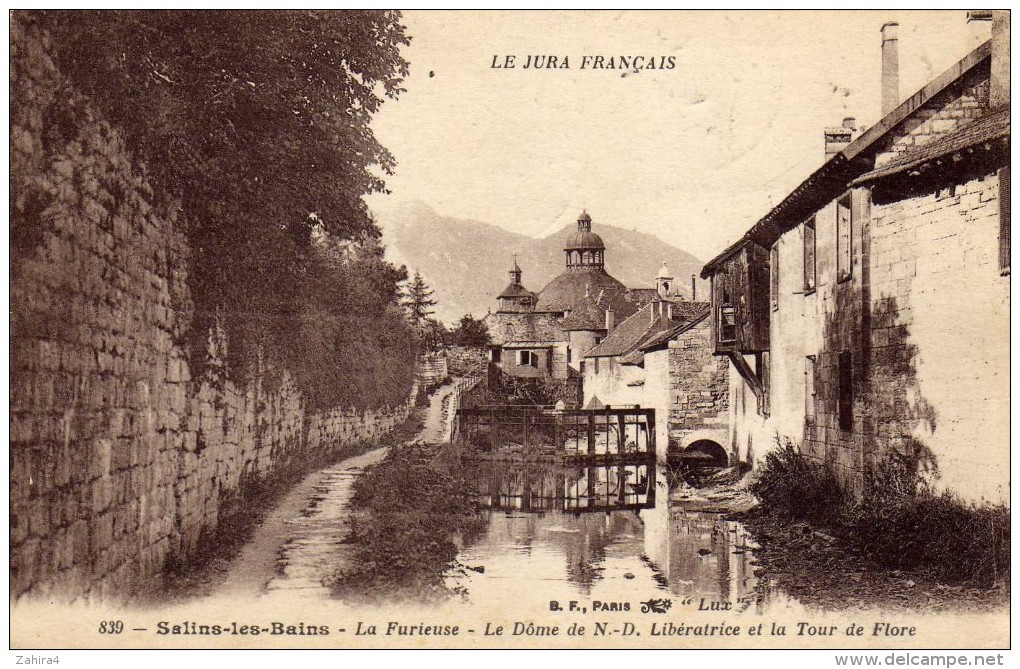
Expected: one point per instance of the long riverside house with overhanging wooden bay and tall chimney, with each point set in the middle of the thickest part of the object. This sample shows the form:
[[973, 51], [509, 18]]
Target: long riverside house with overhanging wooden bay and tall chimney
[[865, 318]]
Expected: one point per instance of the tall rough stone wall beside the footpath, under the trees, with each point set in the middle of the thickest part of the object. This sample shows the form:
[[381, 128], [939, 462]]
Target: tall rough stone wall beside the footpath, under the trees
[[121, 459]]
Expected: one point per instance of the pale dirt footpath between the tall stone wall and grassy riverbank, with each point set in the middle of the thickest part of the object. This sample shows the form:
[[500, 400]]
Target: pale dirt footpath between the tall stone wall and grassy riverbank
[[299, 545]]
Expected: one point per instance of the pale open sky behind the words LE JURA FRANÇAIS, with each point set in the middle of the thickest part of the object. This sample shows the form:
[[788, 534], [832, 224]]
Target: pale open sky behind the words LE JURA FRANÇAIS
[[694, 156]]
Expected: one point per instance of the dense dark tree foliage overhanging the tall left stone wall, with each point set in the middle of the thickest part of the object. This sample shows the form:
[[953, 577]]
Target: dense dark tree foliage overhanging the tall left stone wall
[[258, 123]]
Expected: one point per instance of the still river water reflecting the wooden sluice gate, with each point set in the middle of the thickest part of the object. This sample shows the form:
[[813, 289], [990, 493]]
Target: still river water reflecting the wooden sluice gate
[[604, 533]]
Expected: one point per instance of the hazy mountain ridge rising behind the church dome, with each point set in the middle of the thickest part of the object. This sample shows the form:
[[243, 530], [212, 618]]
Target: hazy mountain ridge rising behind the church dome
[[467, 262]]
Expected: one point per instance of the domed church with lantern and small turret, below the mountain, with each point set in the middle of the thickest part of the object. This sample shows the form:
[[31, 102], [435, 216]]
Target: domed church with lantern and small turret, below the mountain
[[544, 335]]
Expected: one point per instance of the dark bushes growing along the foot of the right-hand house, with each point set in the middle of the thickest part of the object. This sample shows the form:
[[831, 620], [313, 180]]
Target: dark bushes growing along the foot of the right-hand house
[[901, 527]]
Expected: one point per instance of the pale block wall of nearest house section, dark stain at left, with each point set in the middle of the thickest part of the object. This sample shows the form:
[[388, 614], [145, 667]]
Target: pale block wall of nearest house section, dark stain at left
[[940, 337]]
